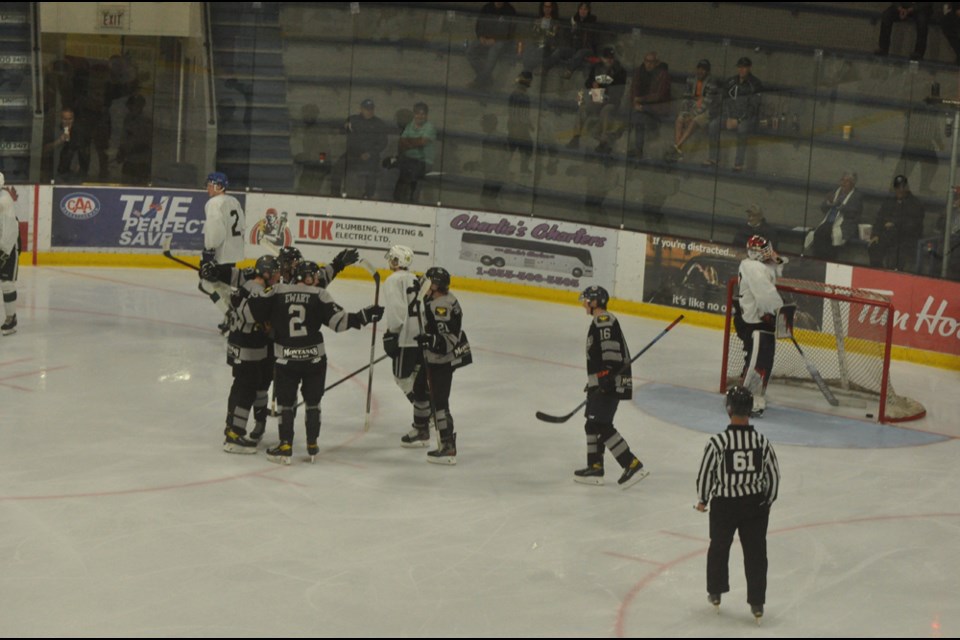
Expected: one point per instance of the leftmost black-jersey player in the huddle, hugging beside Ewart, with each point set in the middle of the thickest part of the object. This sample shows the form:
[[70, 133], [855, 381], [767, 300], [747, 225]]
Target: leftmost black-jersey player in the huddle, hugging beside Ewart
[[248, 351]]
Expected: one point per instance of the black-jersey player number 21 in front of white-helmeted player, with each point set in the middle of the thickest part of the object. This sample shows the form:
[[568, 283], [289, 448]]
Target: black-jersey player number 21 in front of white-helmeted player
[[445, 349]]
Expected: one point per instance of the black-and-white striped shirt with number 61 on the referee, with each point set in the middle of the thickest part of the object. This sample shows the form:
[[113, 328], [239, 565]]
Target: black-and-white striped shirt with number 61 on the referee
[[738, 462]]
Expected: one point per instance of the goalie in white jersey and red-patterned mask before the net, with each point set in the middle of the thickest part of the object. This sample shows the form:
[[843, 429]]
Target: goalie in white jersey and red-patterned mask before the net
[[756, 306]]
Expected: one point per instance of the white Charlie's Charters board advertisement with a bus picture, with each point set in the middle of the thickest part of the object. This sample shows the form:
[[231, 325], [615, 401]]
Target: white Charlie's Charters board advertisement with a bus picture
[[505, 248]]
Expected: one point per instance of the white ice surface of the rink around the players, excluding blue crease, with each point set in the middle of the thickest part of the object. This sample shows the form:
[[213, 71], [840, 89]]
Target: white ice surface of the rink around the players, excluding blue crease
[[120, 515]]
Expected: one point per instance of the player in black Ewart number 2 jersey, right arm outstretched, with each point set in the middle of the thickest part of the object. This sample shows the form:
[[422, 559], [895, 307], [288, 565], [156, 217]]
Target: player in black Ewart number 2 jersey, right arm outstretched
[[295, 313]]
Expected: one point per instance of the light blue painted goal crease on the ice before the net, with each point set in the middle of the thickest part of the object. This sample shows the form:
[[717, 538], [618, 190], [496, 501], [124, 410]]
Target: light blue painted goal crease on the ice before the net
[[703, 411]]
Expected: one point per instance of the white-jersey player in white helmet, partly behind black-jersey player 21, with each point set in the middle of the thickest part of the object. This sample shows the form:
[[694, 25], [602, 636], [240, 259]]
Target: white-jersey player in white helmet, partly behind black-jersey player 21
[[402, 308]]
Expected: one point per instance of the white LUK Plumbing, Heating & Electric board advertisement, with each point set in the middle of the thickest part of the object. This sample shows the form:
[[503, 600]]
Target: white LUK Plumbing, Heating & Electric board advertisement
[[322, 227]]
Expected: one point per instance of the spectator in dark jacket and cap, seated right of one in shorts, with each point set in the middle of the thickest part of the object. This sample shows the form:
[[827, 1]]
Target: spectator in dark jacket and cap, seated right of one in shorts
[[740, 112]]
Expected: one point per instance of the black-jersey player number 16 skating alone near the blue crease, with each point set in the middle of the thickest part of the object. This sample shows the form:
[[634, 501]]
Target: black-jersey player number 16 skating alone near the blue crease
[[609, 380]]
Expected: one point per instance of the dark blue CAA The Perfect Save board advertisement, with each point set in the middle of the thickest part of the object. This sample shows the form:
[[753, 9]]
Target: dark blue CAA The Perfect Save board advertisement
[[128, 218]]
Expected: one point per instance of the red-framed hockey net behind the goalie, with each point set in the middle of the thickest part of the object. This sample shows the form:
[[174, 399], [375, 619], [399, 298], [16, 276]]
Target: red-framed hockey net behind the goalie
[[846, 333]]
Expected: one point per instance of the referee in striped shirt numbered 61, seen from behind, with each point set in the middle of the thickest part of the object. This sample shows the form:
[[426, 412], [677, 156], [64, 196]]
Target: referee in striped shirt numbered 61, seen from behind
[[739, 472]]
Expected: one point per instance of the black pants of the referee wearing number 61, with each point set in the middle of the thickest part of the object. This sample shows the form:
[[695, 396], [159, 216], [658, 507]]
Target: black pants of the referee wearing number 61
[[749, 517]]
